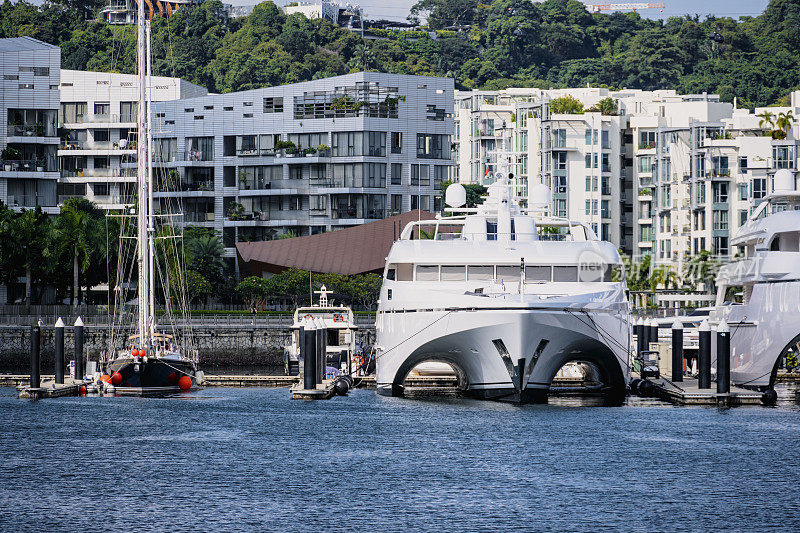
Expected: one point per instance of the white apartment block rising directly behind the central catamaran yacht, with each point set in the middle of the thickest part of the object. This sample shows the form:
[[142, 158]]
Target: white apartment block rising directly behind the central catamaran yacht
[[580, 157]]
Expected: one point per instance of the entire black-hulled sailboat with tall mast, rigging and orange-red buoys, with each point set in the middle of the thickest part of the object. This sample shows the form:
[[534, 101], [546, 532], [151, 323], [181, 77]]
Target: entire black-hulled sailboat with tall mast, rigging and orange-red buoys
[[150, 361]]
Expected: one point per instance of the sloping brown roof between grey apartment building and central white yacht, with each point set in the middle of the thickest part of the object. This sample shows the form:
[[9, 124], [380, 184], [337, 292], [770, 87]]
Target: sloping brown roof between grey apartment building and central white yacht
[[346, 251]]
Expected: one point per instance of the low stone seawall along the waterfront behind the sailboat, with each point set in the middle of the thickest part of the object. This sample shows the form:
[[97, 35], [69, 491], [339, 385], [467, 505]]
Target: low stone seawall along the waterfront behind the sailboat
[[222, 347]]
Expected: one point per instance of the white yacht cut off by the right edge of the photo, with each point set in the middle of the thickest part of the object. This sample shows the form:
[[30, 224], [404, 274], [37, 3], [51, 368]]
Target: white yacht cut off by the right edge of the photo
[[765, 327]]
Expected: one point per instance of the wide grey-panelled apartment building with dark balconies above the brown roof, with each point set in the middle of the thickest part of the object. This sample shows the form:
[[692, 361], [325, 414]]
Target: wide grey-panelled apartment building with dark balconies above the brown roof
[[305, 158]]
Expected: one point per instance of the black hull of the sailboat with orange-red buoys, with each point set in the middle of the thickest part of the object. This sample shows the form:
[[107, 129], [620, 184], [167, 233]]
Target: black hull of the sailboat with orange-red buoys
[[152, 374]]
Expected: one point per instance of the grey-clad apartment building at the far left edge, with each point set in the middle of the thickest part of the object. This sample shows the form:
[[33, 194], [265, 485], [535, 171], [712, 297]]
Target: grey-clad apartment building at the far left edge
[[29, 141]]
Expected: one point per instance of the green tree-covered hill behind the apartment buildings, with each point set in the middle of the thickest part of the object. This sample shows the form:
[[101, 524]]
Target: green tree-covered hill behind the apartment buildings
[[481, 43]]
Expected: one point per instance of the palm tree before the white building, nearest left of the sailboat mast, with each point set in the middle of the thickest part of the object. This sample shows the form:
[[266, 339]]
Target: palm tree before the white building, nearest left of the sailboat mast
[[72, 234]]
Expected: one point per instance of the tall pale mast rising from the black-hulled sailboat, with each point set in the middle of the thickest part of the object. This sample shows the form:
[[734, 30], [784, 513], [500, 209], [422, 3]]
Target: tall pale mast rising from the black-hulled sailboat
[[141, 181]]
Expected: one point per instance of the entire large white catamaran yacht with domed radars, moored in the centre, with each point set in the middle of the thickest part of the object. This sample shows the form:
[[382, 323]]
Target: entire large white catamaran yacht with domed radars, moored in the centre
[[507, 296]]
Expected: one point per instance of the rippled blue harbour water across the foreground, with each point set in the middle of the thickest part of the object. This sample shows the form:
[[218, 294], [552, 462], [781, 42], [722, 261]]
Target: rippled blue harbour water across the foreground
[[224, 459]]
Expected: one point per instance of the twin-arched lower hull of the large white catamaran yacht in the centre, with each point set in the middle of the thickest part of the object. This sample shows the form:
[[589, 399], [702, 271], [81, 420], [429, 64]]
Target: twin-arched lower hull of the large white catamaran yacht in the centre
[[503, 354]]
